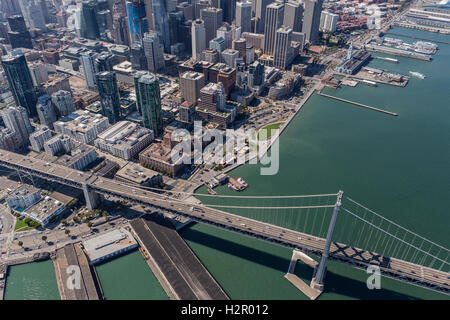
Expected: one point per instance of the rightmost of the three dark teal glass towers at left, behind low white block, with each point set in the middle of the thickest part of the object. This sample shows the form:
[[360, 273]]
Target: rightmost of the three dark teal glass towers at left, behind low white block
[[148, 100]]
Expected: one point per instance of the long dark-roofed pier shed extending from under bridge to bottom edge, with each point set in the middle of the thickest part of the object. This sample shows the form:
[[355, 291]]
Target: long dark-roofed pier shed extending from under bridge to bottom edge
[[177, 268]]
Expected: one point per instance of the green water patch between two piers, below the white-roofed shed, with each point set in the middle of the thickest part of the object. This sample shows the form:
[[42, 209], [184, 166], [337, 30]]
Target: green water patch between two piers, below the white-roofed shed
[[128, 277]]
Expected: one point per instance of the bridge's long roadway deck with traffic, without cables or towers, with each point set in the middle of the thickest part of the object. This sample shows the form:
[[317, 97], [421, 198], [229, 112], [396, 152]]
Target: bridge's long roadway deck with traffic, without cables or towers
[[392, 267]]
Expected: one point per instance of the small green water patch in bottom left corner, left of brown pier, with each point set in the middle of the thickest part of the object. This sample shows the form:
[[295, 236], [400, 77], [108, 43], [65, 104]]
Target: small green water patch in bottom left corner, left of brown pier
[[32, 281]]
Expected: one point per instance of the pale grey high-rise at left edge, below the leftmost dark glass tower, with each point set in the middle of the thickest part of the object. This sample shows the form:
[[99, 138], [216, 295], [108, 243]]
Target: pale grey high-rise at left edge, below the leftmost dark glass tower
[[16, 119]]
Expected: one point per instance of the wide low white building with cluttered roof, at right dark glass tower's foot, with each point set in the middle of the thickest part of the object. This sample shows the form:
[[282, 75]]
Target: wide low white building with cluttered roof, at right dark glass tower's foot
[[125, 139]]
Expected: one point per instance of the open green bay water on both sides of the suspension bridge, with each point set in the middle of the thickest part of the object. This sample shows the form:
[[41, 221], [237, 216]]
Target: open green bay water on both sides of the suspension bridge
[[398, 166]]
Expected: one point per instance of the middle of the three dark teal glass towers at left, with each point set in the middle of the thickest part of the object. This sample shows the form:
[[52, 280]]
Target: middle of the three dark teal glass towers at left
[[109, 95]]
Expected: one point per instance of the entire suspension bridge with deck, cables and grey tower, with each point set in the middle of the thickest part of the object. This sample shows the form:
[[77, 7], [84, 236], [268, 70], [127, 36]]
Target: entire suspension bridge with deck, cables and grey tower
[[331, 226]]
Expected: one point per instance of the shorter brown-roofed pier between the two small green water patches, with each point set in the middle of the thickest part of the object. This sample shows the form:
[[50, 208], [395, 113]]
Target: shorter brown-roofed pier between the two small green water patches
[[73, 255]]
